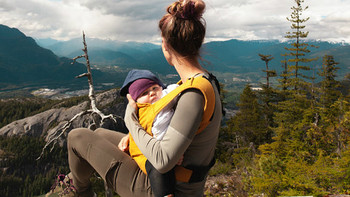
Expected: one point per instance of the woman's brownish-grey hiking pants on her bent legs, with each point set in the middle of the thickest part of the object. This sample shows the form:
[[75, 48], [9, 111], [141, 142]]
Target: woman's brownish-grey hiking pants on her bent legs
[[90, 151]]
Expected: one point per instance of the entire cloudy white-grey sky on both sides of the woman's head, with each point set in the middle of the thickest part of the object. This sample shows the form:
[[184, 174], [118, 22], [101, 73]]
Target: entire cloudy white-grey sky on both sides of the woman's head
[[137, 20]]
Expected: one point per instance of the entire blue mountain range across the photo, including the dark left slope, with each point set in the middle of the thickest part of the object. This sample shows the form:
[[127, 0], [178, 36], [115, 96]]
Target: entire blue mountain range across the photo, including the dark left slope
[[47, 62]]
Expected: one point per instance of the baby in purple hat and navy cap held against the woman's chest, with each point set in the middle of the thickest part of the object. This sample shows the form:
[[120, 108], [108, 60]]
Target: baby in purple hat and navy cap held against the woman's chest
[[144, 87]]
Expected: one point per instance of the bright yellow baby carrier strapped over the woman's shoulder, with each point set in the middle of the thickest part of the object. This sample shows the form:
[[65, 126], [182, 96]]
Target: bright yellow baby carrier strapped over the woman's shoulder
[[148, 112]]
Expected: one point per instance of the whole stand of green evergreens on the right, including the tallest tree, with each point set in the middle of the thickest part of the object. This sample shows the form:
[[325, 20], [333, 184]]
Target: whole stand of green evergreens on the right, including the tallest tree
[[292, 138]]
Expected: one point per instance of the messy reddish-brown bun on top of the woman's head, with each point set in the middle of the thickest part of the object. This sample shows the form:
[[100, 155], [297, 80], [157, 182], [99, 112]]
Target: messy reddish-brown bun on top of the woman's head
[[187, 9]]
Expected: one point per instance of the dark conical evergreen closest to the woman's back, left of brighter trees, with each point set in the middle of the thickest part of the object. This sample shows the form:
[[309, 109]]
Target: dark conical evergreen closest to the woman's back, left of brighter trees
[[245, 131]]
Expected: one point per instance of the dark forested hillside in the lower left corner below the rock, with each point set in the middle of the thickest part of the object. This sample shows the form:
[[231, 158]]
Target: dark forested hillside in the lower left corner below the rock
[[23, 175]]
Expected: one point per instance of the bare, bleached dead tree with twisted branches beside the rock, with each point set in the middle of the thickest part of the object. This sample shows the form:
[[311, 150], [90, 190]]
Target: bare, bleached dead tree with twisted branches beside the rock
[[53, 138]]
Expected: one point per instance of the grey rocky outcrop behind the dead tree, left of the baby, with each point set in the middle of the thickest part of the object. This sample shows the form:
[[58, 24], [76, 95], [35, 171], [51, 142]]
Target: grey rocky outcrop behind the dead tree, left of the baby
[[46, 123]]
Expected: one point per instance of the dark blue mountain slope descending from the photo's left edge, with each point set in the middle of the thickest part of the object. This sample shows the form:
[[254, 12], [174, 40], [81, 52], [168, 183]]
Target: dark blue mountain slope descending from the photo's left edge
[[22, 61]]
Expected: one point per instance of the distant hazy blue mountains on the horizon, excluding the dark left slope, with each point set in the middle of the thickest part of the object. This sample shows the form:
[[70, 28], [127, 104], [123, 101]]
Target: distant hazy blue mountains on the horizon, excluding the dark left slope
[[235, 56]]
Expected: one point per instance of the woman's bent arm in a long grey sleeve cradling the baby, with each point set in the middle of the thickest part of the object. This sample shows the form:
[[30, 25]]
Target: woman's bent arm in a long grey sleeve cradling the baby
[[164, 154]]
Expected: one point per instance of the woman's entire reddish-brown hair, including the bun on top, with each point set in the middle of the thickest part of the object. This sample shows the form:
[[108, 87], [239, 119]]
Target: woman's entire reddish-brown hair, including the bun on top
[[183, 27]]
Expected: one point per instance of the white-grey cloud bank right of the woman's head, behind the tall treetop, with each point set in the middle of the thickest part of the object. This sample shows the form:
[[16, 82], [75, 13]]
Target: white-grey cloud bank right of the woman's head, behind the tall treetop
[[257, 19]]
